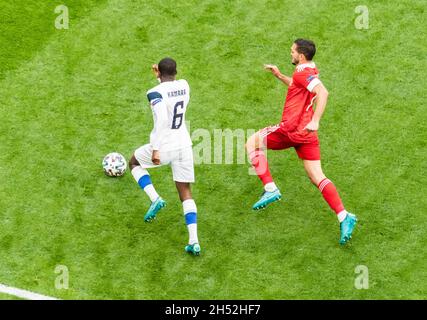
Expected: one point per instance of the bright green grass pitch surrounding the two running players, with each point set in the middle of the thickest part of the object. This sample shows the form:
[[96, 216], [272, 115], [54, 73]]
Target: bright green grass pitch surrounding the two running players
[[68, 97]]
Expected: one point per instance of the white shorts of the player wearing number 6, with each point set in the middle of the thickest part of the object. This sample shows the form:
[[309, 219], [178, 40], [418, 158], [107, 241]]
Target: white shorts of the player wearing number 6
[[181, 161]]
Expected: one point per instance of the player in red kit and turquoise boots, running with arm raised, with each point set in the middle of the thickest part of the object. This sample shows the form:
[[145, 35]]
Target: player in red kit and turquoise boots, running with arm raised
[[305, 103]]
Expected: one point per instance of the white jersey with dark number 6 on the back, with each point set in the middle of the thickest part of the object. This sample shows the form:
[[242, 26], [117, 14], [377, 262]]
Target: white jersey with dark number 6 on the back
[[168, 102]]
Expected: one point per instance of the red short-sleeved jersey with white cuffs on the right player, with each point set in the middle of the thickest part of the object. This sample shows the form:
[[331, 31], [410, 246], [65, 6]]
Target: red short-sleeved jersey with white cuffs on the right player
[[298, 109]]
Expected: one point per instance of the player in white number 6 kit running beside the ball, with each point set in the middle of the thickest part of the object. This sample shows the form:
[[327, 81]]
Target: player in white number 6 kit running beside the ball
[[170, 144]]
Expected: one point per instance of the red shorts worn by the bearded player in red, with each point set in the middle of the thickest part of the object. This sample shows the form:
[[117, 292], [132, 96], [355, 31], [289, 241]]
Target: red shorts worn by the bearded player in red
[[275, 139]]
